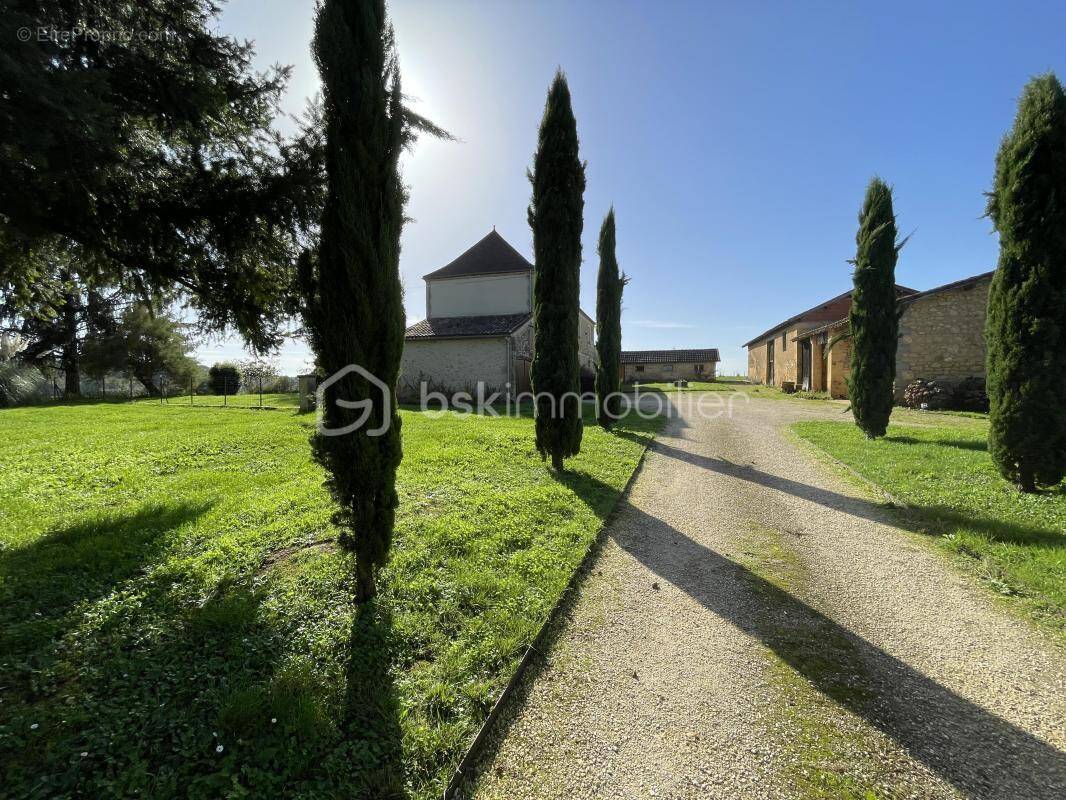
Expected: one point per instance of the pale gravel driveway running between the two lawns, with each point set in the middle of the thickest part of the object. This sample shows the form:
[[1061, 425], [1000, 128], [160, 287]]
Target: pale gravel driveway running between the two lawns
[[755, 628]]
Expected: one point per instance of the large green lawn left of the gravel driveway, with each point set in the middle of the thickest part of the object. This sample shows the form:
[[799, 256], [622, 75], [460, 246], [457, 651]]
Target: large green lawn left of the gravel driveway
[[175, 621]]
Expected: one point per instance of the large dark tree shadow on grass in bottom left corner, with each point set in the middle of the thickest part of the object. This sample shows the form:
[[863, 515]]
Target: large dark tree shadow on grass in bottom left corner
[[176, 694]]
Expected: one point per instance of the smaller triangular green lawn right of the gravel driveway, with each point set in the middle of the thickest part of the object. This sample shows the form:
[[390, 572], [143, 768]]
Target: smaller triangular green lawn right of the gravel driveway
[[940, 466]]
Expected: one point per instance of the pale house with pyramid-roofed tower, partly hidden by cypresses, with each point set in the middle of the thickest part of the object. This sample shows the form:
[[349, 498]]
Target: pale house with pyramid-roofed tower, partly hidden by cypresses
[[479, 326]]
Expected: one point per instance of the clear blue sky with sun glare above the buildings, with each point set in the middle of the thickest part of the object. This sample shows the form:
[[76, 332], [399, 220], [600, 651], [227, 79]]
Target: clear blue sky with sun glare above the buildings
[[735, 139]]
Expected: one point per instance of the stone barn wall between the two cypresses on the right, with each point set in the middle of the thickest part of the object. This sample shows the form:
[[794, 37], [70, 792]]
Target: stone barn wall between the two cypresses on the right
[[942, 337]]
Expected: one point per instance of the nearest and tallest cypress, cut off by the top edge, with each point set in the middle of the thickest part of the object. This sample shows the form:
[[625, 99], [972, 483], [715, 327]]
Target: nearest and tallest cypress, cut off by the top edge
[[354, 302]]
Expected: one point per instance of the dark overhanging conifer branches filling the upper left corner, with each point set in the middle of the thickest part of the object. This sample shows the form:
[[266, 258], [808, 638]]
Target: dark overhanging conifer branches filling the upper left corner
[[156, 159]]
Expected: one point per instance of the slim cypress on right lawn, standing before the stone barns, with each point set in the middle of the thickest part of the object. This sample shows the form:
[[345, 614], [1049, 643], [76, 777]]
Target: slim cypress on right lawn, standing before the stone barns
[[874, 317]]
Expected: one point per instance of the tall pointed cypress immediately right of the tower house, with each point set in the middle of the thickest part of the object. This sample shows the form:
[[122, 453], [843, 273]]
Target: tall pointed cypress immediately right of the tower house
[[555, 216]]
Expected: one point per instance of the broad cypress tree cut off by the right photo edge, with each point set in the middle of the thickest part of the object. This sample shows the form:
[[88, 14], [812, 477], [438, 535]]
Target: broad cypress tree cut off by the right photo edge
[[1026, 328]]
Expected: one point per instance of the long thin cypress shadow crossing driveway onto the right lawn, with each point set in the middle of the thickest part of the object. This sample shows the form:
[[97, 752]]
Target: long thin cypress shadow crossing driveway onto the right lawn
[[918, 519]]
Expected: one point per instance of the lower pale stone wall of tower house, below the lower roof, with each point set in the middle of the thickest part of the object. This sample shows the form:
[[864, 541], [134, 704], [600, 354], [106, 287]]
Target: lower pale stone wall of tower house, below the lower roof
[[454, 365]]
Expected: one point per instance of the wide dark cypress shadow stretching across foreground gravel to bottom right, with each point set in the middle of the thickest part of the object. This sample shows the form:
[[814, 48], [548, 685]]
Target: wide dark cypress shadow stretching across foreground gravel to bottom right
[[972, 748]]
